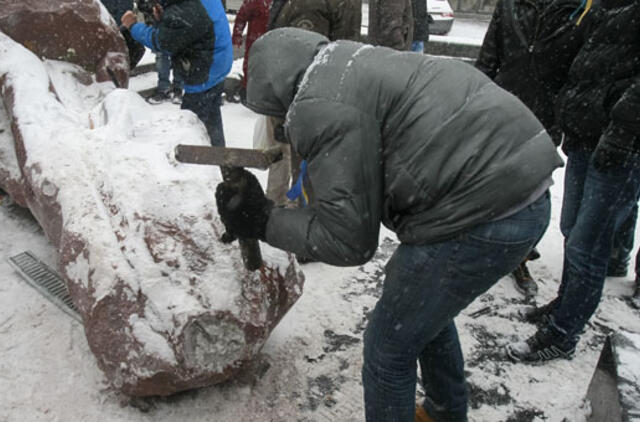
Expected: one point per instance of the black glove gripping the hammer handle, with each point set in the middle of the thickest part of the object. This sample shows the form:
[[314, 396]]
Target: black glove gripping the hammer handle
[[243, 208]]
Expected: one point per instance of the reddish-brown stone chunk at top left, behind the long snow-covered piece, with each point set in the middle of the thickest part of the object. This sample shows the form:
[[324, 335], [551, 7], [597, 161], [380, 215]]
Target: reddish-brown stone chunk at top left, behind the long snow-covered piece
[[76, 31]]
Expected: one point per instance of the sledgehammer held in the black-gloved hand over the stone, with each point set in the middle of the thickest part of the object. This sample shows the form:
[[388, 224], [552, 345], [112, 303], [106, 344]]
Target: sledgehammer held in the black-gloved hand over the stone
[[230, 161]]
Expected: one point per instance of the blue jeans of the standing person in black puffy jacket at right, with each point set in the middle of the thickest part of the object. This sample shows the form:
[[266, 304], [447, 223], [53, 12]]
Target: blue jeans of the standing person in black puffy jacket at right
[[594, 206]]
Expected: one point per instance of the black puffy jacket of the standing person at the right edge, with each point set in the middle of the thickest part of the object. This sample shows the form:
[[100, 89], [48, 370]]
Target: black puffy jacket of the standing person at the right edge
[[600, 104]]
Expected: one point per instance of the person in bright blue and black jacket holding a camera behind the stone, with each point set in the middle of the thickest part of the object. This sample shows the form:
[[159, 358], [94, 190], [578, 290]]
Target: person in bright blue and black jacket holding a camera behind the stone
[[196, 35]]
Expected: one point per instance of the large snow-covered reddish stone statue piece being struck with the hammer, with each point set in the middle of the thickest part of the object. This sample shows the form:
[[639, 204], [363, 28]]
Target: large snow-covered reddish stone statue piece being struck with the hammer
[[165, 305]]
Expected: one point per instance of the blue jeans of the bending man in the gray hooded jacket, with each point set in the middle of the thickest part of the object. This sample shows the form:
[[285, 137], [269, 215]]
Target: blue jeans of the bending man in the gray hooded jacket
[[425, 287]]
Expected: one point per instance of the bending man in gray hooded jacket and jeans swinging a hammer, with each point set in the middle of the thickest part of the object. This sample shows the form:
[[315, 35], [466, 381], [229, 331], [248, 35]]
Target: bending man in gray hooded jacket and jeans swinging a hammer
[[424, 150]]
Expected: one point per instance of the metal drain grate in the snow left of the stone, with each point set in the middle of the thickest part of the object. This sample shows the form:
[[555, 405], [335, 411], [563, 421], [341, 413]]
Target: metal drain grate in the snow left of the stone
[[44, 280]]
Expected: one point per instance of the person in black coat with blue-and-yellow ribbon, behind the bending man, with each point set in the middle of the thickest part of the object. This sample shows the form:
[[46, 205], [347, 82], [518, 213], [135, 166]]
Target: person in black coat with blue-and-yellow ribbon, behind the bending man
[[527, 50]]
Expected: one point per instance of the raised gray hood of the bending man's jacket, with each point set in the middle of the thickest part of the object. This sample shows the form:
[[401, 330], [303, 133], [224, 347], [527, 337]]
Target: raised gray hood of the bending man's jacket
[[278, 61]]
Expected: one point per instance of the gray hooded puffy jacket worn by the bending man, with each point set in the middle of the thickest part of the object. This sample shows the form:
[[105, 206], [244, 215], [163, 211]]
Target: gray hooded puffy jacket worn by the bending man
[[429, 147]]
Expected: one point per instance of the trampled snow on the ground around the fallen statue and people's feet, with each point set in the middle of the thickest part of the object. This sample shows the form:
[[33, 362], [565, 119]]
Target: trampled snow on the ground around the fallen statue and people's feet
[[309, 370]]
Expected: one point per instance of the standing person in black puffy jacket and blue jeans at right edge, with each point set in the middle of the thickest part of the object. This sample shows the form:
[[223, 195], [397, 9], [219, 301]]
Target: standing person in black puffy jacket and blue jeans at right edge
[[598, 110]]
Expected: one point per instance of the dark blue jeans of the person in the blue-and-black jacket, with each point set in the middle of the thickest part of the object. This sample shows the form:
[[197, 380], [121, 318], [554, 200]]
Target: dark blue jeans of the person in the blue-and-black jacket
[[206, 105]]
